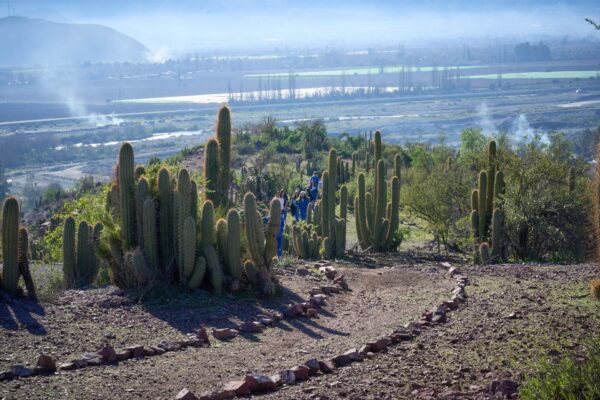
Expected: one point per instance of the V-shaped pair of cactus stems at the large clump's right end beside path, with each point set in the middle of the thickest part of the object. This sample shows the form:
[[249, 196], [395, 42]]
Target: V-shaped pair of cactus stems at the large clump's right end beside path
[[262, 246]]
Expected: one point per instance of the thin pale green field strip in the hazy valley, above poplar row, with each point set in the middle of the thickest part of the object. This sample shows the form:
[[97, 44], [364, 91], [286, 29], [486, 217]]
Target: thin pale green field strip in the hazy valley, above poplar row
[[357, 71]]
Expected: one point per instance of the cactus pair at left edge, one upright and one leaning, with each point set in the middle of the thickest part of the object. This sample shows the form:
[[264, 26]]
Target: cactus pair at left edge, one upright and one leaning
[[15, 248]]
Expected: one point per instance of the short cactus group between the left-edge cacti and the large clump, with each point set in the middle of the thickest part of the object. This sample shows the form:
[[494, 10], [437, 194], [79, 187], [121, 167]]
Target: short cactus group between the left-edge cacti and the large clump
[[80, 263]]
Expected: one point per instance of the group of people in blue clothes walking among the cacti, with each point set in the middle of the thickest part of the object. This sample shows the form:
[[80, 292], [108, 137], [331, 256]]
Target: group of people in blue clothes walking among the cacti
[[298, 205]]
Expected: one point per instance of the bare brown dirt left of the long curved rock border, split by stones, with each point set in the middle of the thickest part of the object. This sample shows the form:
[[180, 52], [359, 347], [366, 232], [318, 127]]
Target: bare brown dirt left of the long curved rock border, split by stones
[[82, 321]]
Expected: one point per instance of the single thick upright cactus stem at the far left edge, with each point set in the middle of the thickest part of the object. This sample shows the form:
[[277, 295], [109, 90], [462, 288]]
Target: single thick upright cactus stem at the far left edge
[[10, 243]]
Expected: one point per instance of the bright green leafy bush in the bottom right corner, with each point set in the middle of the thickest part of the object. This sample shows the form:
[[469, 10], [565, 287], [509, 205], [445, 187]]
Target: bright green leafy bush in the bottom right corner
[[569, 378]]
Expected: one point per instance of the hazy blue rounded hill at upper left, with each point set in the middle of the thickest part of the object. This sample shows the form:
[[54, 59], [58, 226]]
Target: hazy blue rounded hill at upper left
[[27, 41]]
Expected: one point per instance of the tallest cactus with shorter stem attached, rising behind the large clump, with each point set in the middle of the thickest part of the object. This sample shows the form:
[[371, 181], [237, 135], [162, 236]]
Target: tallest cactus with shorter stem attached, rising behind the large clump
[[217, 160]]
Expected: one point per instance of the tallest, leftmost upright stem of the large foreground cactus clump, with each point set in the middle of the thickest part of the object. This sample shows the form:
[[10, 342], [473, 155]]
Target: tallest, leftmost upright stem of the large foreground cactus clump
[[127, 195]]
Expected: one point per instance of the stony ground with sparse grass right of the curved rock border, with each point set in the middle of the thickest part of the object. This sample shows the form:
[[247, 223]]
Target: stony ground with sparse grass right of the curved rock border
[[483, 342]]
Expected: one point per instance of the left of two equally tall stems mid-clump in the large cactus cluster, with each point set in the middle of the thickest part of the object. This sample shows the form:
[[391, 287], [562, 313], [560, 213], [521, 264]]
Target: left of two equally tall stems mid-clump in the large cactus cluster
[[166, 223]]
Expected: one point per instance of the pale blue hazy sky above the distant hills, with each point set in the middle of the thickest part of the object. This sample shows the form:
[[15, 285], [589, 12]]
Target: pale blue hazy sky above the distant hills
[[175, 25]]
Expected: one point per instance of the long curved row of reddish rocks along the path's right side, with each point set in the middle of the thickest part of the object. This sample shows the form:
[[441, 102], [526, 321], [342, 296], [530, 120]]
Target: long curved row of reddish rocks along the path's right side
[[260, 383]]
